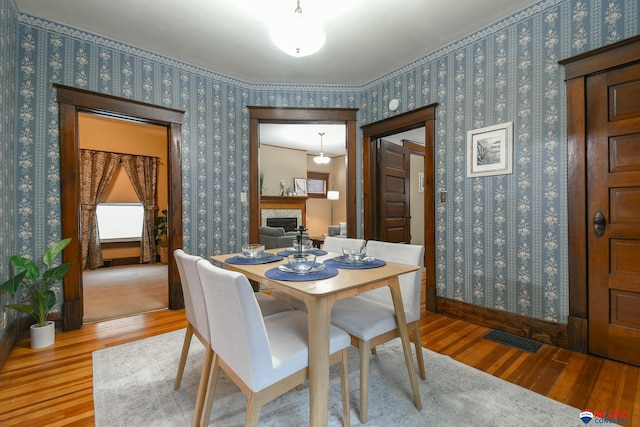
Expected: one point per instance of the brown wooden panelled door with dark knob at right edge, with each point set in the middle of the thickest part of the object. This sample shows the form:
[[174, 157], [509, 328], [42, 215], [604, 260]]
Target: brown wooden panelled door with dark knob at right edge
[[613, 199]]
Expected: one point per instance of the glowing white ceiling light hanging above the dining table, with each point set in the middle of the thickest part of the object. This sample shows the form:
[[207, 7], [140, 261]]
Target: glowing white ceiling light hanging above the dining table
[[296, 35]]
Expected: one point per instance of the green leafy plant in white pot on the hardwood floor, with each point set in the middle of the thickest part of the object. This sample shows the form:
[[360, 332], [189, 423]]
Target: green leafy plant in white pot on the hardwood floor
[[39, 289]]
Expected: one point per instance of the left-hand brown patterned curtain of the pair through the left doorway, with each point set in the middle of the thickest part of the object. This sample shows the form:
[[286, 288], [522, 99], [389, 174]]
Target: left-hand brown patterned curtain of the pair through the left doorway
[[96, 171]]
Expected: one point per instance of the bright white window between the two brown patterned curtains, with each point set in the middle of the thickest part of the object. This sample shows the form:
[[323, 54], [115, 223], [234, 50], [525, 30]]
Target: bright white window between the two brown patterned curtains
[[120, 222]]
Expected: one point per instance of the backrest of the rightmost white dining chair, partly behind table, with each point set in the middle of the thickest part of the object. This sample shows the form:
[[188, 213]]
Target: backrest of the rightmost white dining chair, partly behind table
[[410, 283]]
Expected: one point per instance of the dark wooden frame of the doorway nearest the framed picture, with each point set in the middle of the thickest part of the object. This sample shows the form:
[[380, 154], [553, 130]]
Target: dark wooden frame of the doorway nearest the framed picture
[[423, 117]]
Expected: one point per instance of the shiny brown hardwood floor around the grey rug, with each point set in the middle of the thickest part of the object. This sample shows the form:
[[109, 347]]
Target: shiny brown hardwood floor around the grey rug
[[53, 386]]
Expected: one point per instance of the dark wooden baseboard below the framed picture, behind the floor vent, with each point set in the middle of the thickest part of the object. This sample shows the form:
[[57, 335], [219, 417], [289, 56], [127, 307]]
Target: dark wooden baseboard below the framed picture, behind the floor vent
[[539, 330]]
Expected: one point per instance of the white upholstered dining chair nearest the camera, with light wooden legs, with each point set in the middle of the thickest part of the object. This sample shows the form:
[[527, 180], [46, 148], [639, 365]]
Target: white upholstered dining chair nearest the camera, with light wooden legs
[[265, 357]]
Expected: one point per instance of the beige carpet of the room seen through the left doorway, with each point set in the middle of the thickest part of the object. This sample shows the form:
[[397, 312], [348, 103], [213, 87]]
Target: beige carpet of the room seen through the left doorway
[[125, 290]]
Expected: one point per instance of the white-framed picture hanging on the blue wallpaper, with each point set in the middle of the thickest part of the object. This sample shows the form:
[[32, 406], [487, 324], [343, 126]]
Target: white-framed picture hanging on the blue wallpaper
[[490, 150]]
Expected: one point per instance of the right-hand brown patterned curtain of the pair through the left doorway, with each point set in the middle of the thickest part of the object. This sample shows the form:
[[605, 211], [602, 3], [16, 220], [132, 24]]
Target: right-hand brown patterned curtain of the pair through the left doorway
[[142, 171]]
